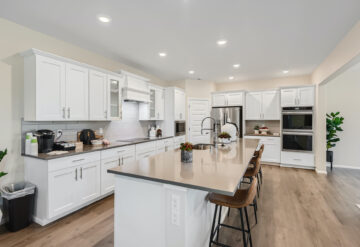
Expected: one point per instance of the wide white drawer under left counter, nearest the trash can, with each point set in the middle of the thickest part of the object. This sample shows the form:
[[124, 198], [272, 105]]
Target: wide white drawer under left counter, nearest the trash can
[[75, 160]]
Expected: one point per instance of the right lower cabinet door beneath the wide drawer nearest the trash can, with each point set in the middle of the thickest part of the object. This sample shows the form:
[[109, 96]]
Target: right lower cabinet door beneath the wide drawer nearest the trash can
[[89, 181]]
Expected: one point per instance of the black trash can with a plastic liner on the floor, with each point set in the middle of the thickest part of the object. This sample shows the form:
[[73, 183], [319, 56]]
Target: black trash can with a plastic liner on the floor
[[18, 203]]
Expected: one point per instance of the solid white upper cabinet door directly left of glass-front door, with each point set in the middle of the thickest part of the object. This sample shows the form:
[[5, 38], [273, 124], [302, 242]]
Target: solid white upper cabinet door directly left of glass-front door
[[97, 95]]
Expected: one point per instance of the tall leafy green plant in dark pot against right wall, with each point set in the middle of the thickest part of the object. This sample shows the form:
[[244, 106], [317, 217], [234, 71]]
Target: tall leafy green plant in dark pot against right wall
[[333, 125]]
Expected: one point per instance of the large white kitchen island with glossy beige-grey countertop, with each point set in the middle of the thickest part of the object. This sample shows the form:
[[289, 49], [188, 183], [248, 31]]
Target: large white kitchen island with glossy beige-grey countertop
[[161, 202]]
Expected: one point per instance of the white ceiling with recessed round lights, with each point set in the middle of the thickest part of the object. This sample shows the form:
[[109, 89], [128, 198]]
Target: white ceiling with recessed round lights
[[264, 36]]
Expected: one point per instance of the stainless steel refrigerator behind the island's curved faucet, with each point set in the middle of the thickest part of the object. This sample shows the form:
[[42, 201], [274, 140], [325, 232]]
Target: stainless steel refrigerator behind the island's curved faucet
[[231, 114]]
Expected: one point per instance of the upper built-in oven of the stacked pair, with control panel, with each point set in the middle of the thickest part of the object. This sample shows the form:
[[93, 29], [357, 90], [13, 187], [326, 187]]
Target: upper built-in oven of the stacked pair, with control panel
[[297, 119]]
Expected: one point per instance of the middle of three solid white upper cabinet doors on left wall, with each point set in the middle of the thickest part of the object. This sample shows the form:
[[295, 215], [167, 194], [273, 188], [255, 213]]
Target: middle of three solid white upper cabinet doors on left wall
[[77, 84]]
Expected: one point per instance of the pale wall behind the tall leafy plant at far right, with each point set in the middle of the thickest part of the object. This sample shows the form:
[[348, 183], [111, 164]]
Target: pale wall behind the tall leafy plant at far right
[[343, 96]]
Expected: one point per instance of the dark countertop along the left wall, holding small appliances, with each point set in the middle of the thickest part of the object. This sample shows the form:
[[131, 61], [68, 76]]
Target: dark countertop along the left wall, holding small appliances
[[94, 148]]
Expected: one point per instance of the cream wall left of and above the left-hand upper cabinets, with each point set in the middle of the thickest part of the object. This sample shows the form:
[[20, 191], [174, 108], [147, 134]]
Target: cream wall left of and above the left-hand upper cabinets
[[15, 39]]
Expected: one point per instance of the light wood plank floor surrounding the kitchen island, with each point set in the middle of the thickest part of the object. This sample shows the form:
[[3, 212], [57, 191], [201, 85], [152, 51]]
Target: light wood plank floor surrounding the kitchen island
[[296, 208]]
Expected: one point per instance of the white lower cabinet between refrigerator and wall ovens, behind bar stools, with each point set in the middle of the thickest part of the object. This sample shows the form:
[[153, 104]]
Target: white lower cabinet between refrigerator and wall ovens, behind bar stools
[[272, 148]]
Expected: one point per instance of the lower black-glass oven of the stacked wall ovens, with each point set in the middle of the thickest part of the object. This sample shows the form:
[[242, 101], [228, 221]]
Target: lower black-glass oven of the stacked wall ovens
[[297, 141]]
